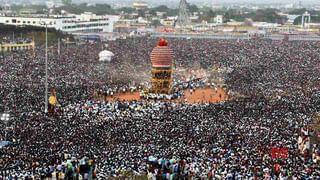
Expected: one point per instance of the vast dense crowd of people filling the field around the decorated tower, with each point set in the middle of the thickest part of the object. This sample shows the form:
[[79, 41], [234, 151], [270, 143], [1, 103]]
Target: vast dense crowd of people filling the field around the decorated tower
[[157, 139]]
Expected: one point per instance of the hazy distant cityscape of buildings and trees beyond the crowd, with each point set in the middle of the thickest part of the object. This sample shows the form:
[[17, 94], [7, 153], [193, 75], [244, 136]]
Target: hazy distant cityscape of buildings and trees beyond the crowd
[[135, 18]]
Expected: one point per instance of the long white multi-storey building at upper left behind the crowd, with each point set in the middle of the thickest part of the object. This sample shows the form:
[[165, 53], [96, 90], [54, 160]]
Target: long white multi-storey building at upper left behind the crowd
[[86, 22]]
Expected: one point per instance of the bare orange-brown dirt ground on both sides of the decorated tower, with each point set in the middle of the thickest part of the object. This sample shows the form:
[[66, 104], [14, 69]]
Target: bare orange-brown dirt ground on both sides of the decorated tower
[[201, 95]]
